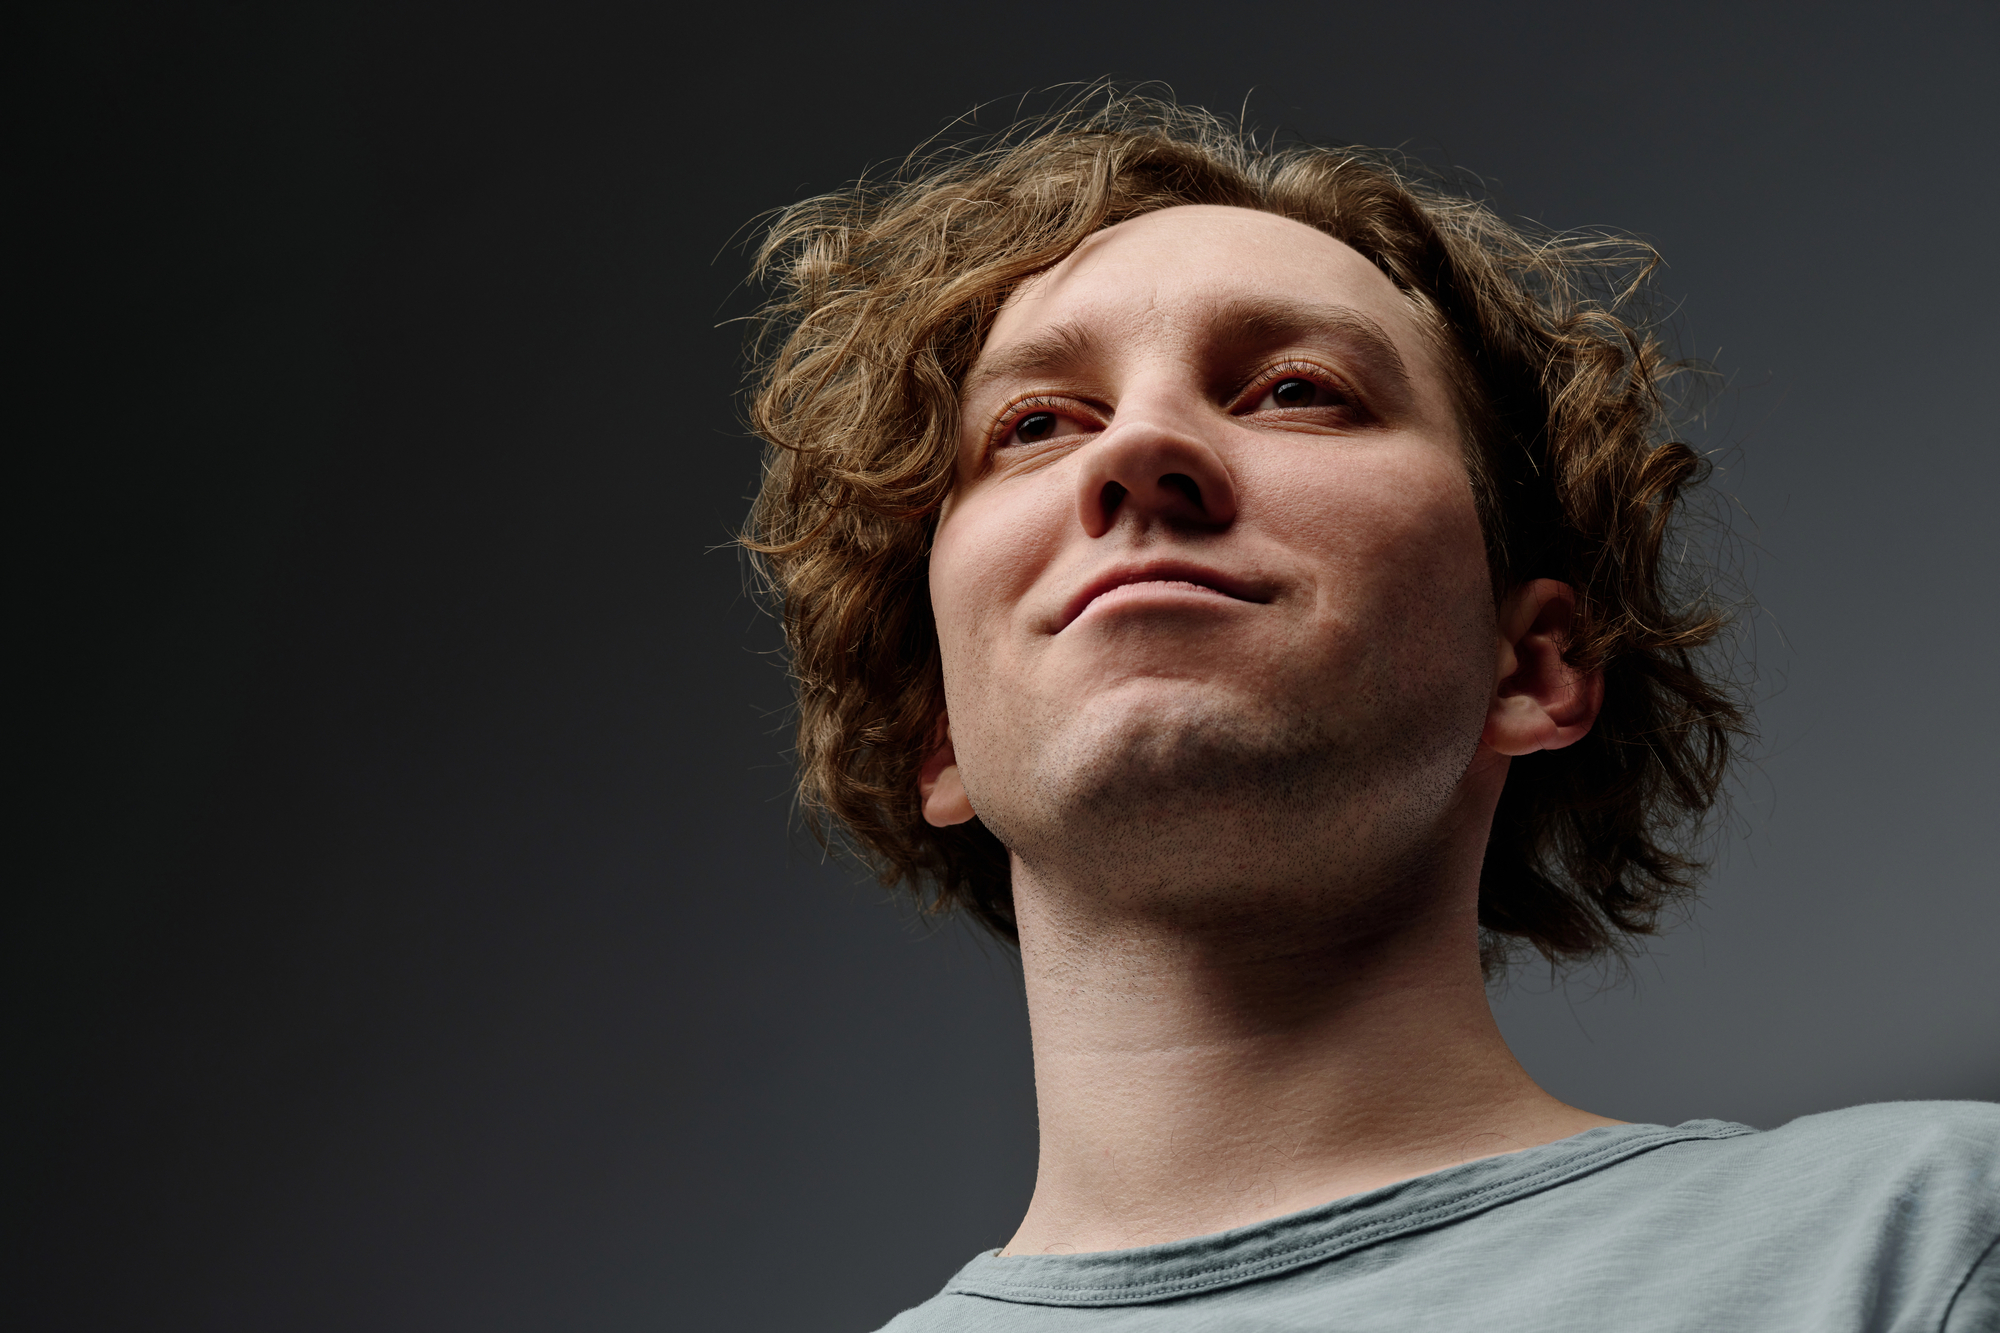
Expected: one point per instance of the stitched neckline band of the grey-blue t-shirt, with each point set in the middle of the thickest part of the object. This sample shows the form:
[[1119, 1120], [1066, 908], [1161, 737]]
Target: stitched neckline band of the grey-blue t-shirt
[[1301, 1254]]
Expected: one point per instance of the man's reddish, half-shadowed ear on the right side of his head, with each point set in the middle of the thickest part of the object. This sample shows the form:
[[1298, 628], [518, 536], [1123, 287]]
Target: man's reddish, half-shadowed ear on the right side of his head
[[1541, 704]]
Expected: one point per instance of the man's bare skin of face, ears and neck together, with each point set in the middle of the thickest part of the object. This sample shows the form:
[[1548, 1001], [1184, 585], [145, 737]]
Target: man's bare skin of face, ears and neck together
[[1225, 674]]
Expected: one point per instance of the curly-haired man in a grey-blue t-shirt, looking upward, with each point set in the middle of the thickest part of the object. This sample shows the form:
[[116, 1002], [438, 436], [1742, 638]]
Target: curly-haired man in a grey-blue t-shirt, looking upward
[[1241, 579]]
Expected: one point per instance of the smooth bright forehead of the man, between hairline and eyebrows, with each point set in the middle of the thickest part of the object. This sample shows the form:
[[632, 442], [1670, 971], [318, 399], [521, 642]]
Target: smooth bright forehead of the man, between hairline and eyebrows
[[1171, 271]]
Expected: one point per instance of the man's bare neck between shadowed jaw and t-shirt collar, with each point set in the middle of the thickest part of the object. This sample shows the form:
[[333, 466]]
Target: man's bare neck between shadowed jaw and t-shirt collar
[[1193, 1080]]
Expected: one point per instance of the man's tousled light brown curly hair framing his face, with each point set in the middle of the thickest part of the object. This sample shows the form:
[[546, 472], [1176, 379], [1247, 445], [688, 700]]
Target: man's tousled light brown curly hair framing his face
[[883, 297]]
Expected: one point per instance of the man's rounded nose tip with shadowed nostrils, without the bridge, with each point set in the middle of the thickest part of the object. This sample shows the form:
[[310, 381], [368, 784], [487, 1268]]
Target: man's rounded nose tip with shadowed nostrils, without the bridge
[[1149, 471]]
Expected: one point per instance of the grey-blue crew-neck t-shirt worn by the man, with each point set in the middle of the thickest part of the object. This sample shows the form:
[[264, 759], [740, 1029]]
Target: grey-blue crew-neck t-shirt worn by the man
[[1877, 1218]]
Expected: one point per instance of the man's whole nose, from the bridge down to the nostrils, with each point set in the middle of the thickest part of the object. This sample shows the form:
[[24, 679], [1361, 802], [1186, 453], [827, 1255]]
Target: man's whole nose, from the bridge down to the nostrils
[[1157, 463]]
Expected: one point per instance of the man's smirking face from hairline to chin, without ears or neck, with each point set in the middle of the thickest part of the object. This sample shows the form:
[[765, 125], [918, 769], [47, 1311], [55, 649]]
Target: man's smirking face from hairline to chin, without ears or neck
[[1211, 587]]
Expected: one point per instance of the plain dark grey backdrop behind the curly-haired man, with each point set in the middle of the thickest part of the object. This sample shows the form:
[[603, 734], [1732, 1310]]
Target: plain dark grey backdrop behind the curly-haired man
[[413, 936]]
